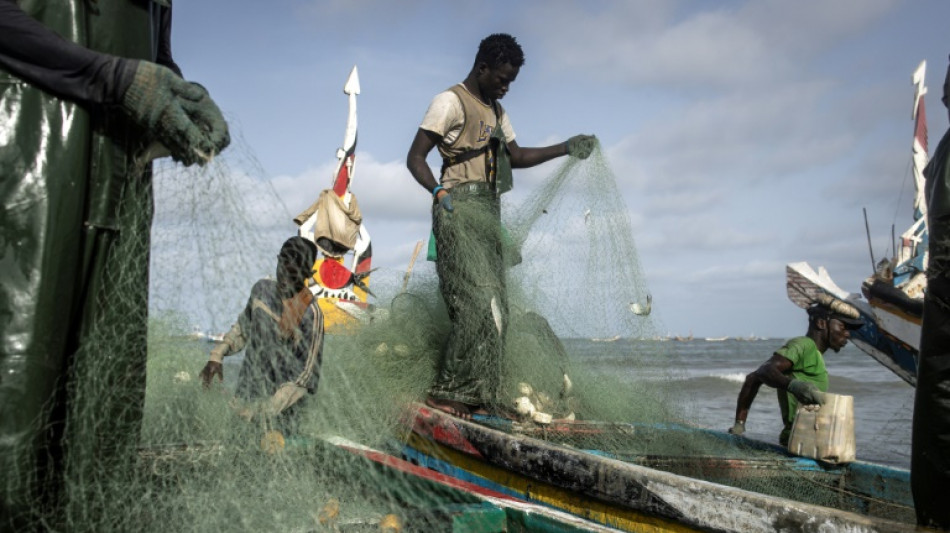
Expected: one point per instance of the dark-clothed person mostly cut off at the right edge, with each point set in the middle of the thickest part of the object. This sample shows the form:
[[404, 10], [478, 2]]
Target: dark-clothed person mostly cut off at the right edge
[[930, 448]]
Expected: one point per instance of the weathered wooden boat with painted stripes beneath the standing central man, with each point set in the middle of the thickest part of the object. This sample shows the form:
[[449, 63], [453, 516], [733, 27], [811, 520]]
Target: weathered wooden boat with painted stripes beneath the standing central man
[[759, 487]]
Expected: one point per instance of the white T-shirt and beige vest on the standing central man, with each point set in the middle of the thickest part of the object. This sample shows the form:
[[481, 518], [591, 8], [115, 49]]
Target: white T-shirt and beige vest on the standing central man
[[446, 117]]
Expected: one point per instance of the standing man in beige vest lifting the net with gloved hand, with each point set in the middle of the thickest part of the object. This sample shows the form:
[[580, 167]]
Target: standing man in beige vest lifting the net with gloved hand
[[477, 143]]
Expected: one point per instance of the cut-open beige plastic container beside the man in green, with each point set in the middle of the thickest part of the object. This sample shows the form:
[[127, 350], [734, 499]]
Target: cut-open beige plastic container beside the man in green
[[826, 434]]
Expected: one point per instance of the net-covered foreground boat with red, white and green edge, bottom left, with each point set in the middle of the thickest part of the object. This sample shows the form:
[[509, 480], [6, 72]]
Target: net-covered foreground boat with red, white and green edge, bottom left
[[426, 500]]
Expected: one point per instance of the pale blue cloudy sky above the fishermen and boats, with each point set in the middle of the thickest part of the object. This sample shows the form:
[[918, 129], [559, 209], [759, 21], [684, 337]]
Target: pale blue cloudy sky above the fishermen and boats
[[744, 135]]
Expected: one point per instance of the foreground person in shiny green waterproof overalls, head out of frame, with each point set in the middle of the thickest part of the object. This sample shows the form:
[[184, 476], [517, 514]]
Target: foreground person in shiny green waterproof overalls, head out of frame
[[85, 89]]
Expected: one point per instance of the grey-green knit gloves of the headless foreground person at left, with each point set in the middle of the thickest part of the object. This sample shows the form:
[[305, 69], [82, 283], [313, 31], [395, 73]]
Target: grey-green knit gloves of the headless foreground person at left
[[179, 114]]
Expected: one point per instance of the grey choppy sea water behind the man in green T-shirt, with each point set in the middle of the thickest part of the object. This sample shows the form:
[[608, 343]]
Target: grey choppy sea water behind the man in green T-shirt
[[710, 374]]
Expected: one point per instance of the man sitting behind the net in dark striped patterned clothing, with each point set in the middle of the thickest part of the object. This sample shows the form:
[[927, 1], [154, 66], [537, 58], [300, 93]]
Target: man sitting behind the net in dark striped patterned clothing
[[281, 333]]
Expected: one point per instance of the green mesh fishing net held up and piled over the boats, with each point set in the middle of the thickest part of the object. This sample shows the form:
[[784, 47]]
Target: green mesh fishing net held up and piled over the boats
[[572, 279]]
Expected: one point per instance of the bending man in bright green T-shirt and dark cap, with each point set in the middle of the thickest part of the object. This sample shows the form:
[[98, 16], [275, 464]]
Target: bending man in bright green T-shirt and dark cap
[[797, 369]]
